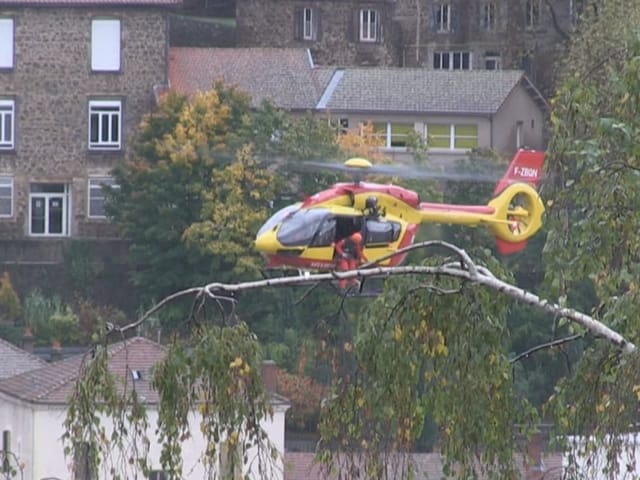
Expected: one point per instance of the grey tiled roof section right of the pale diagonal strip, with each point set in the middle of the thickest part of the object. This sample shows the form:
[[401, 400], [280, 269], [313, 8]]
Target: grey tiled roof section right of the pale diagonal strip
[[420, 90]]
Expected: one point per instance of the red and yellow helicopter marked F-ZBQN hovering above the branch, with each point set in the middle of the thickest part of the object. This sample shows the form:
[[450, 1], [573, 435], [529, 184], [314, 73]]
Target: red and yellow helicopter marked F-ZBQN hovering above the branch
[[303, 235]]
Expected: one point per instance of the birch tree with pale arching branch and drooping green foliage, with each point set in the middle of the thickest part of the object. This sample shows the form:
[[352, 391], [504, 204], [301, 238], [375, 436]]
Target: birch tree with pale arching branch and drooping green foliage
[[438, 341]]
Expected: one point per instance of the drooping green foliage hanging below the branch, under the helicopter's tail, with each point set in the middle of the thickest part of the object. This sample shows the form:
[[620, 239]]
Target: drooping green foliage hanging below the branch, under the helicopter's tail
[[420, 353]]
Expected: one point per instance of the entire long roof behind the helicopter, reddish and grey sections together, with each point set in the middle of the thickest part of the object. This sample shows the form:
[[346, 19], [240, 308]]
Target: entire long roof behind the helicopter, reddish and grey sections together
[[288, 77]]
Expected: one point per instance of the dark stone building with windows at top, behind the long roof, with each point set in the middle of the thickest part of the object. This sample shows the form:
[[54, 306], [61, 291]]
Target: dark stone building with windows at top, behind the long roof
[[434, 34]]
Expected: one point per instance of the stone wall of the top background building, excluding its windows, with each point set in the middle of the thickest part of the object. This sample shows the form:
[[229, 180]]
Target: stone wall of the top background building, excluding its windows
[[410, 37]]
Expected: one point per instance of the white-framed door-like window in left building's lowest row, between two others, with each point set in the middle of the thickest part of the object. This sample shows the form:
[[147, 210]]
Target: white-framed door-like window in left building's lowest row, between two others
[[49, 209]]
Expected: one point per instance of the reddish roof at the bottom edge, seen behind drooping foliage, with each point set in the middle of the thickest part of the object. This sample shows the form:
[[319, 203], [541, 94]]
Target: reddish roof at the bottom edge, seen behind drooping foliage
[[301, 466]]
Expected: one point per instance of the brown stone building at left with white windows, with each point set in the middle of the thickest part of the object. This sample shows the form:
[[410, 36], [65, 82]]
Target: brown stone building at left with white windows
[[75, 79]]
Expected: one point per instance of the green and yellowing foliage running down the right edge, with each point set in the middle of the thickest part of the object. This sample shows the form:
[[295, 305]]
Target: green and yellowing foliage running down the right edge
[[593, 219]]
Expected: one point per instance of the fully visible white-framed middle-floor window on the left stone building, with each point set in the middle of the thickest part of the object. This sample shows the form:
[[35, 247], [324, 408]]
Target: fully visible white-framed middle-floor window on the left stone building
[[104, 125]]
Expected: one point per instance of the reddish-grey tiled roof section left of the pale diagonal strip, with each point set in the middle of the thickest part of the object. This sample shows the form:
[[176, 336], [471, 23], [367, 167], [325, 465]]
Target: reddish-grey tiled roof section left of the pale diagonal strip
[[285, 76]]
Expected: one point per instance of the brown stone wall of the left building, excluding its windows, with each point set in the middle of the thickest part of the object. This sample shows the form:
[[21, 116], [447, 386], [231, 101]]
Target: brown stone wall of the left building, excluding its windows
[[52, 83]]
